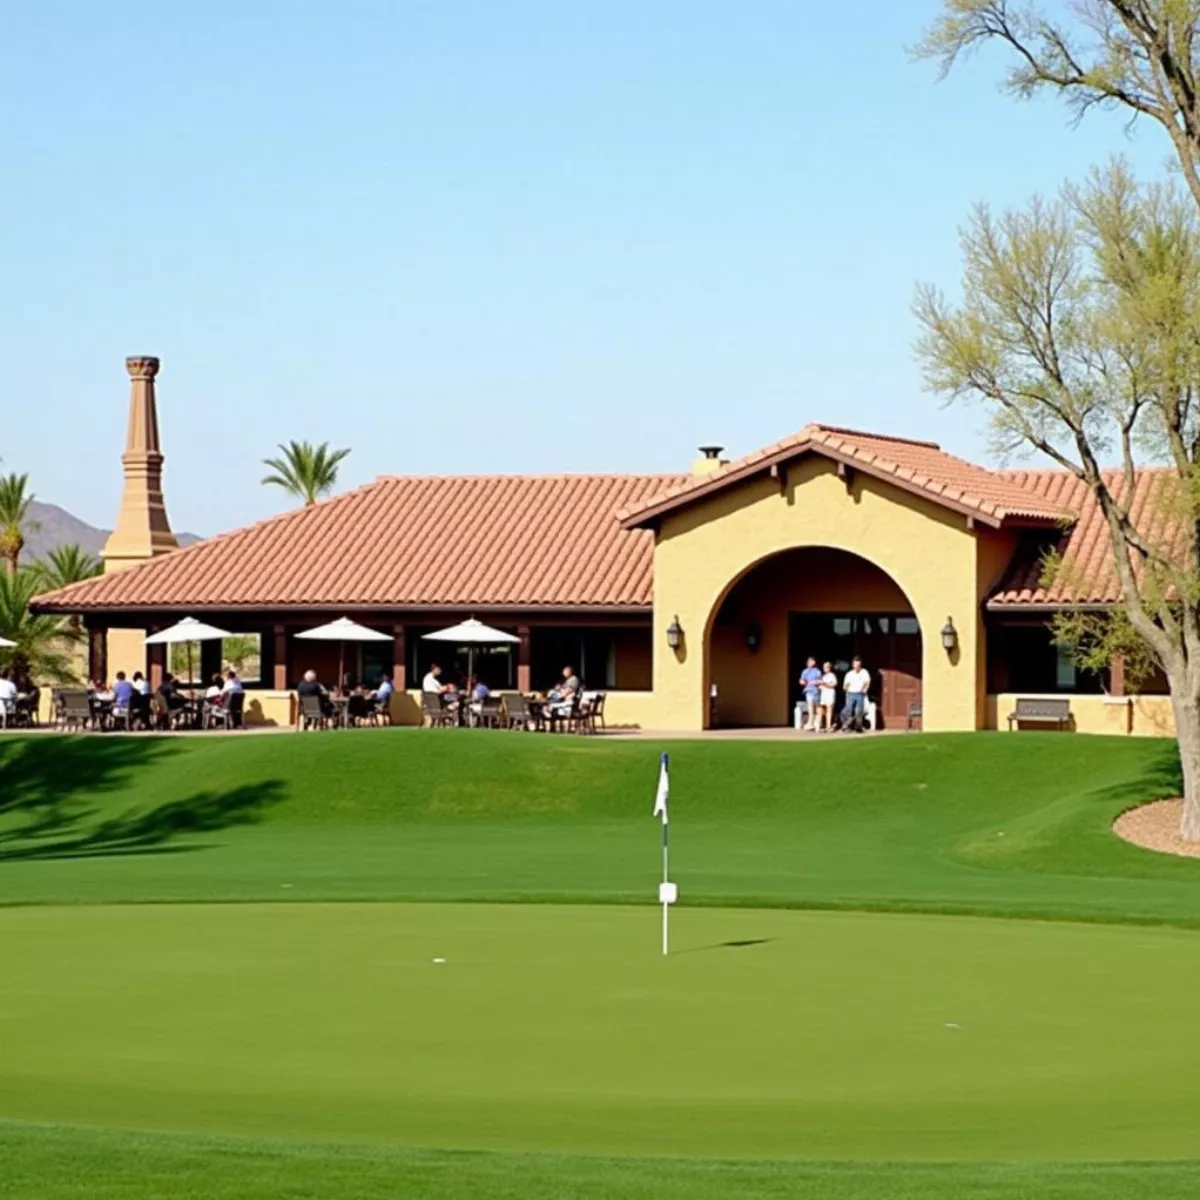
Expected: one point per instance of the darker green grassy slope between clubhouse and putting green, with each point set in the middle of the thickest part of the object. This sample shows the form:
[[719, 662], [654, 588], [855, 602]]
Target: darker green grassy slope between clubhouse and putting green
[[983, 824]]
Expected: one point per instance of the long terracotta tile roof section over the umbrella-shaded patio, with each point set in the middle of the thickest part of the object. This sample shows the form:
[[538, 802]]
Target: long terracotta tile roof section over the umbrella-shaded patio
[[478, 542]]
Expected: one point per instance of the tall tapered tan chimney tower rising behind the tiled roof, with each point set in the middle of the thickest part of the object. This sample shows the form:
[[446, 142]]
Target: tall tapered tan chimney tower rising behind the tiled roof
[[142, 530]]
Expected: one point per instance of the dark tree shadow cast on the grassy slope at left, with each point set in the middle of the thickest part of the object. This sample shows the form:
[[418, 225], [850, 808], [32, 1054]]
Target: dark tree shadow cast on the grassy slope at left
[[50, 790]]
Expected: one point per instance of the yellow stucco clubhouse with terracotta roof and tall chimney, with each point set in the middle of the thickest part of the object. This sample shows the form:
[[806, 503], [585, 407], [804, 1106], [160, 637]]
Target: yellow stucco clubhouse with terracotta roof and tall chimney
[[693, 601]]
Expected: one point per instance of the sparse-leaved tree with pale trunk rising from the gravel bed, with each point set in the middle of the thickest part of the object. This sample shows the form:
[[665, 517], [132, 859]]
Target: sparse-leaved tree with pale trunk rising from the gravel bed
[[1079, 332]]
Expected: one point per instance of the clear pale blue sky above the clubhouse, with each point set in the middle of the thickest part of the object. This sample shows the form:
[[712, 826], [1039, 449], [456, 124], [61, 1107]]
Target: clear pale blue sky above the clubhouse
[[482, 237]]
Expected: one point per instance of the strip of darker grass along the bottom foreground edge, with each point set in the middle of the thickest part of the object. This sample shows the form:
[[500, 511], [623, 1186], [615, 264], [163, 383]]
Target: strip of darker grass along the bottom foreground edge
[[89, 1165]]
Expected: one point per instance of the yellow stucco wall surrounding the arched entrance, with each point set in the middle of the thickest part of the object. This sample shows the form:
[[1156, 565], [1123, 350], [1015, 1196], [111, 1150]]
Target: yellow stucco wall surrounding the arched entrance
[[928, 551]]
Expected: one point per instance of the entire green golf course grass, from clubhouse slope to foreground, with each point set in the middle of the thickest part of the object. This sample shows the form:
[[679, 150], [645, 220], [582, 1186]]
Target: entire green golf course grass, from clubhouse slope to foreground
[[404, 964]]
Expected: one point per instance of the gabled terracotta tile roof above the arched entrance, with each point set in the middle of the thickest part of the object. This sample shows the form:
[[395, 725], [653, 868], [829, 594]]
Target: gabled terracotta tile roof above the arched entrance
[[919, 467]]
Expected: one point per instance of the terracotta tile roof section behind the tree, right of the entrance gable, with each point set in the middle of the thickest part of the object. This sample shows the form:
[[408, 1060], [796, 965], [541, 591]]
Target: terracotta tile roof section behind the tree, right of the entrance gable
[[1088, 577]]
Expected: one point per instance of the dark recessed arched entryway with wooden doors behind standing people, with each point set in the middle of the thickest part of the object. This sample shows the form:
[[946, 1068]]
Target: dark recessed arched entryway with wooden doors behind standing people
[[813, 601]]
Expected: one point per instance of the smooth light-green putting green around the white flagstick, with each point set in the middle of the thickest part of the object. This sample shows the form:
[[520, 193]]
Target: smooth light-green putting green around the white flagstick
[[561, 1029]]
